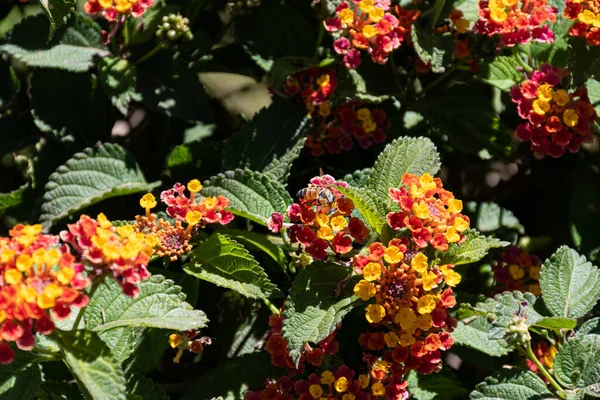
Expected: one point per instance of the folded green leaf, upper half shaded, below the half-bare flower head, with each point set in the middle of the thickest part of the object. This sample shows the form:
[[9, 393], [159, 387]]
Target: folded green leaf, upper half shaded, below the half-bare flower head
[[226, 263]]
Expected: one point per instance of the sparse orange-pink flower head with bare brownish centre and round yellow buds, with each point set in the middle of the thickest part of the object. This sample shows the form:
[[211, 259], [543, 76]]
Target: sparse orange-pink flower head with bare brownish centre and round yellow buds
[[172, 239]]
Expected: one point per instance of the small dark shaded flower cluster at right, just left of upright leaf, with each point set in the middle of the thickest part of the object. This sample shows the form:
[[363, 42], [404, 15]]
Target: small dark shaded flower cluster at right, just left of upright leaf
[[517, 270]]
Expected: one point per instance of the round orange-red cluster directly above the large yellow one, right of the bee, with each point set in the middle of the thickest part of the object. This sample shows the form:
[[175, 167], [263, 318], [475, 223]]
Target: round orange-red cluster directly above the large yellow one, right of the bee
[[430, 214]]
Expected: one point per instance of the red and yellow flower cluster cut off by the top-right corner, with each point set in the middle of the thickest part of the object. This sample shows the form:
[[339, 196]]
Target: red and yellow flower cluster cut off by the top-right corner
[[586, 13]]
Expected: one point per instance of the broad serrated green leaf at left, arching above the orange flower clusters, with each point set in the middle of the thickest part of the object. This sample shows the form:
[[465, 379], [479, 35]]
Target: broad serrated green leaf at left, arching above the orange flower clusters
[[90, 177]]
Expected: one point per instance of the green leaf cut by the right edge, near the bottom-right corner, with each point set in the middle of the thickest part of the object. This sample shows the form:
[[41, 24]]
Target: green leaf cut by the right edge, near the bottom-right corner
[[576, 363]]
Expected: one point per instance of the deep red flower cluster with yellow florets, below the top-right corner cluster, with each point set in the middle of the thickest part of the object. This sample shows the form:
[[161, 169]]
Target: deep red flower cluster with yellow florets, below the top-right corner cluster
[[556, 120]]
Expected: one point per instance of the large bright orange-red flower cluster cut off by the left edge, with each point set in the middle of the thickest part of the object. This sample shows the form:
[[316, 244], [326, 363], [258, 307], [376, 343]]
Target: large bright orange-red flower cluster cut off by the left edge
[[39, 278]]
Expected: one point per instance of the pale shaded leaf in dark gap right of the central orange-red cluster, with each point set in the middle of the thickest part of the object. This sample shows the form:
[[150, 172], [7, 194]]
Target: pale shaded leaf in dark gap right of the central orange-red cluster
[[489, 217]]
